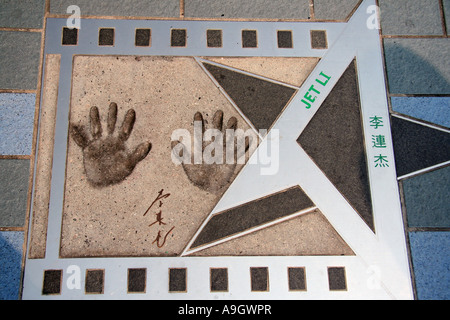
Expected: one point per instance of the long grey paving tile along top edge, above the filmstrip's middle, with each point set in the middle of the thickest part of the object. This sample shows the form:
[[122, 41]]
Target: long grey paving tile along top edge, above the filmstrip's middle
[[257, 9]]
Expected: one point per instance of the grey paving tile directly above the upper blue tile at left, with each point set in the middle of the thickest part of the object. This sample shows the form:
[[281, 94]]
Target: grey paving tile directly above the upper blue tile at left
[[19, 59]]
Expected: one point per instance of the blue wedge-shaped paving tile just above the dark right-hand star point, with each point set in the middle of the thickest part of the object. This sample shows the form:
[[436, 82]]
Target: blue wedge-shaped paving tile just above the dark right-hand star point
[[431, 109]]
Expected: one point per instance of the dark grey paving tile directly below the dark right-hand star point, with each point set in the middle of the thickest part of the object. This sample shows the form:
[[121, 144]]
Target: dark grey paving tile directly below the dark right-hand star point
[[426, 199]]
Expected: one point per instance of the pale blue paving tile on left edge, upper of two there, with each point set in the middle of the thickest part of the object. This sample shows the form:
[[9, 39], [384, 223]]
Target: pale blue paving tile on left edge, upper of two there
[[16, 123]]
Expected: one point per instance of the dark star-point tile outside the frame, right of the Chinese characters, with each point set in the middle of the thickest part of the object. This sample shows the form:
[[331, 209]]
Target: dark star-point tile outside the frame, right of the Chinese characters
[[418, 147]]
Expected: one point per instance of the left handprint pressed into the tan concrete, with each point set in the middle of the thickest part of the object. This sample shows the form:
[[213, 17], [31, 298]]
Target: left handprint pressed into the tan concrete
[[107, 160]]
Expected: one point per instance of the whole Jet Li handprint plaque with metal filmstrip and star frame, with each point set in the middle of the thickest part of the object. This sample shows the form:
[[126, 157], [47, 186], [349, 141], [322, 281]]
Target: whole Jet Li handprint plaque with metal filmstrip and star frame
[[182, 160]]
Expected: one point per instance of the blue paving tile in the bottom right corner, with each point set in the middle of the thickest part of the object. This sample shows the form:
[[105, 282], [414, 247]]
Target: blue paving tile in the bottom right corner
[[431, 263]]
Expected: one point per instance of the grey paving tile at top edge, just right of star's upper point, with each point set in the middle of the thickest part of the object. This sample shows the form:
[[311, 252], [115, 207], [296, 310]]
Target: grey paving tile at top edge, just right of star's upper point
[[411, 17]]
